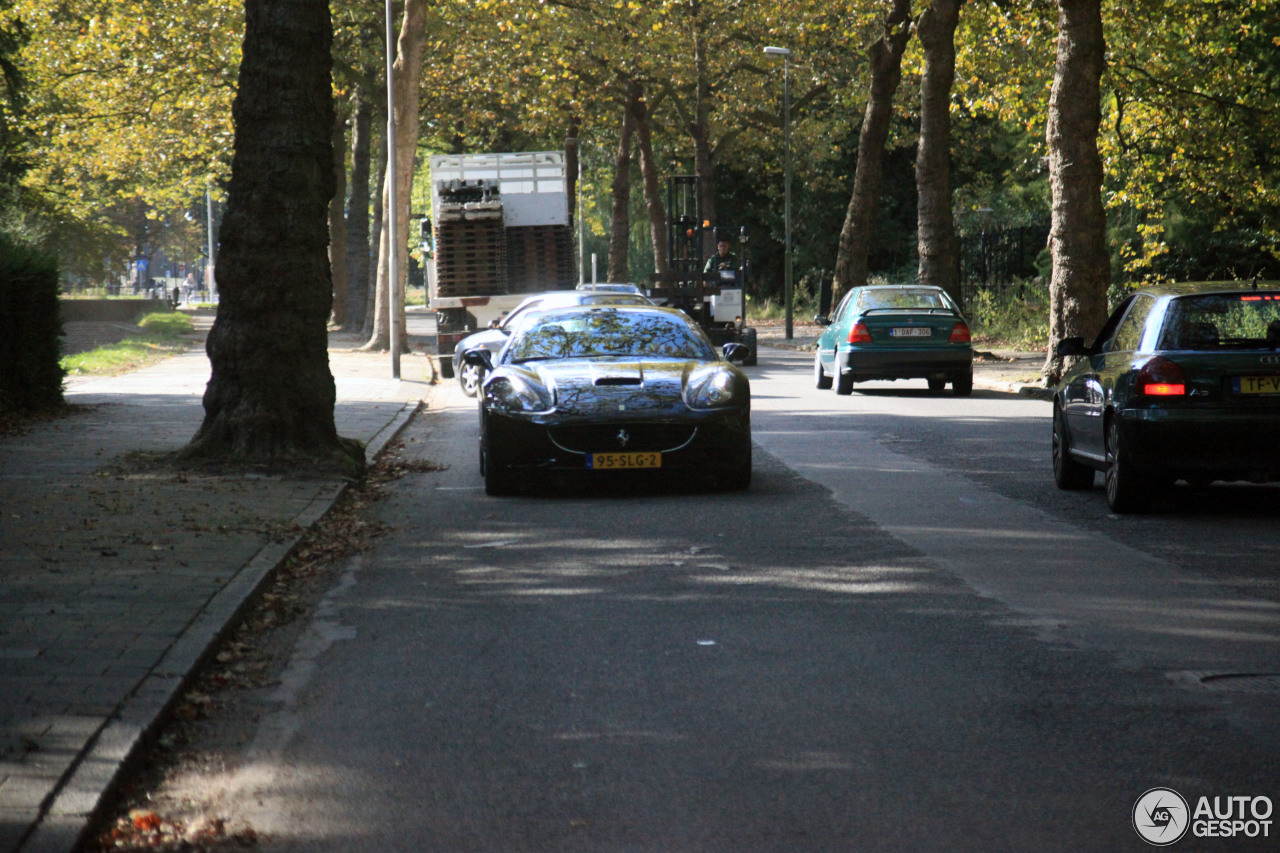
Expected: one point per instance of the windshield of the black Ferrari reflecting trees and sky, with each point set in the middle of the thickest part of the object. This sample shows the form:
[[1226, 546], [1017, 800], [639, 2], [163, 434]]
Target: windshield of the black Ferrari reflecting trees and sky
[[605, 332]]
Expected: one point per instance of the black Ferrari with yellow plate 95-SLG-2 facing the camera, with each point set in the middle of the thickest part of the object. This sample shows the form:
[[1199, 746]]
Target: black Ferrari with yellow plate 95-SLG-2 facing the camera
[[602, 390]]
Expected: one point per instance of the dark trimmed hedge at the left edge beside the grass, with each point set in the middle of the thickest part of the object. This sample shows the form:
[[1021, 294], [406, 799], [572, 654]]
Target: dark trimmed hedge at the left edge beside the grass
[[31, 327]]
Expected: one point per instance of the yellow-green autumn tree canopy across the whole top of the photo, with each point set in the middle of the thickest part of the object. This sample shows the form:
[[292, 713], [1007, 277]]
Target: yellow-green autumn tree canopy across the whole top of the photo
[[126, 117]]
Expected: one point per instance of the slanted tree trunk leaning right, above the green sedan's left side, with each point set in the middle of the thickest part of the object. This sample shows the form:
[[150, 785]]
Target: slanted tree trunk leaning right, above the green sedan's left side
[[885, 58]]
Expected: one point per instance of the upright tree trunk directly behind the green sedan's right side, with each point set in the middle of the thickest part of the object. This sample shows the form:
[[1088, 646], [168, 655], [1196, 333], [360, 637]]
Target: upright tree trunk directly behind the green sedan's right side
[[940, 257]]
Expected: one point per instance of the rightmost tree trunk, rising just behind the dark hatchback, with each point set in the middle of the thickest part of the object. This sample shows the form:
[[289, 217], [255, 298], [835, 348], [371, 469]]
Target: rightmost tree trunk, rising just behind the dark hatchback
[[1082, 271]]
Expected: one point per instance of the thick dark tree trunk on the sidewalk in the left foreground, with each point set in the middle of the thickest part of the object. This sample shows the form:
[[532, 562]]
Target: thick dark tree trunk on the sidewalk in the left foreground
[[272, 396]]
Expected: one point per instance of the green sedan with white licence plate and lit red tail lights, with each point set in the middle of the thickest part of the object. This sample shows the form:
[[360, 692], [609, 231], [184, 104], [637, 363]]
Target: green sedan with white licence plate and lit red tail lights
[[895, 332]]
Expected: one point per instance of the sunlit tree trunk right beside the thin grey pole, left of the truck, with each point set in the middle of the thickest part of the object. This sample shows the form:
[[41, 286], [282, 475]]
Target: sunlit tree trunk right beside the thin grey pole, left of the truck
[[395, 236]]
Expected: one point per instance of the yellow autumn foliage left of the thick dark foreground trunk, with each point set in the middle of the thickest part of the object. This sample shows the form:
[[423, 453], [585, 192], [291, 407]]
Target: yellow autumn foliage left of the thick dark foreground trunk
[[129, 99]]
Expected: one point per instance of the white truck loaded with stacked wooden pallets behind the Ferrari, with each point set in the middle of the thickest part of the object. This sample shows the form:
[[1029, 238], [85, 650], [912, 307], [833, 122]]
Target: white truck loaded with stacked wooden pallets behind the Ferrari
[[501, 230]]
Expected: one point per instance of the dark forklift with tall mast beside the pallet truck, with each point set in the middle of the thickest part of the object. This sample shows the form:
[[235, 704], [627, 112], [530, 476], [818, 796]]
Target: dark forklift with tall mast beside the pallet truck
[[716, 300]]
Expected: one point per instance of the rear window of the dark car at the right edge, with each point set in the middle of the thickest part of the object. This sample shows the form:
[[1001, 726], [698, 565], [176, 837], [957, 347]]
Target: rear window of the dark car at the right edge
[[1222, 321]]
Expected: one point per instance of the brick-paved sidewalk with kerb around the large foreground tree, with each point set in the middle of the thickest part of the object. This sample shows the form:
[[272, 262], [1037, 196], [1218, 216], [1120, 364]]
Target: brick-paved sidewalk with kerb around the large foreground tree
[[113, 587]]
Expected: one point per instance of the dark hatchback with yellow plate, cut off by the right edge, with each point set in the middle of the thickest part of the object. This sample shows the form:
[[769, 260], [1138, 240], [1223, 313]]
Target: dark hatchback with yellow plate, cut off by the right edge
[[1182, 384]]
